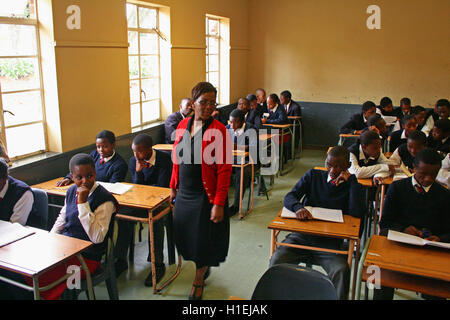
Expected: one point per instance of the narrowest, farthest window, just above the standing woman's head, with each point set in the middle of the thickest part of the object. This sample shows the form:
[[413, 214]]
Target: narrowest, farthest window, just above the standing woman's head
[[213, 52]]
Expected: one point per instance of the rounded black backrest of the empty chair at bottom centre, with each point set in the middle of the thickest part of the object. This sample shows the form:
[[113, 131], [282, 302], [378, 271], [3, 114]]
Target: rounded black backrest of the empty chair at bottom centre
[[293, 282]]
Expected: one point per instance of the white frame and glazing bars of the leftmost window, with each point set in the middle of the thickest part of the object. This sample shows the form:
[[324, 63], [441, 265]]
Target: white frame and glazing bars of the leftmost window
[[28, 22]]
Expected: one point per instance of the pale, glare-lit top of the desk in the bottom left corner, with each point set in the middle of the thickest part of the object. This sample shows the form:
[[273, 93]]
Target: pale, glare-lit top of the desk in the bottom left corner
[[39, 252]]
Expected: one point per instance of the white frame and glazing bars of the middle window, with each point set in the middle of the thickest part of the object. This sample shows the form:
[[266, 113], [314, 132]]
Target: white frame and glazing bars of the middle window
[[139, 30]]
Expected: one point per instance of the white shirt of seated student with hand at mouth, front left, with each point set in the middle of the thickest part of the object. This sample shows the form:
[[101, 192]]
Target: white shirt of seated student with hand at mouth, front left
[[95, 224]]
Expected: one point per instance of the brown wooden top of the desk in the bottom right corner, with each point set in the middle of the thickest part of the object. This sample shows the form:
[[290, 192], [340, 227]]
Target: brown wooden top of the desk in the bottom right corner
[[422, 261]]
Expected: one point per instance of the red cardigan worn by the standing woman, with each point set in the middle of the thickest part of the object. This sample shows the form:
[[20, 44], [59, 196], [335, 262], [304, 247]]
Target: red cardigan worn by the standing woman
[[216, 171]]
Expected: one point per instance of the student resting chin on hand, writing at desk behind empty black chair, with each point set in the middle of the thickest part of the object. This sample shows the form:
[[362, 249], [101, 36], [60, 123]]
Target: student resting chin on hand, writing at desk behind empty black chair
[[335, 188]]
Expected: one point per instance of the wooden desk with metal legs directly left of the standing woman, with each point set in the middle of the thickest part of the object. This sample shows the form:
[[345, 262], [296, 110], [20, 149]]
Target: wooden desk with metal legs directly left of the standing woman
[[140, 197]]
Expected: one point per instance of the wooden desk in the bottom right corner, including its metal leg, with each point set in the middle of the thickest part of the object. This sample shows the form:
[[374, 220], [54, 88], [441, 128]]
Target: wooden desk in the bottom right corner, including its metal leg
[[408, 267]]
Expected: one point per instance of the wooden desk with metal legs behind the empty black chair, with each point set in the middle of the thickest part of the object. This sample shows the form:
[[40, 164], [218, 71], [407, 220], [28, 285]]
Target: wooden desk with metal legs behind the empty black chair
[[347, 230]]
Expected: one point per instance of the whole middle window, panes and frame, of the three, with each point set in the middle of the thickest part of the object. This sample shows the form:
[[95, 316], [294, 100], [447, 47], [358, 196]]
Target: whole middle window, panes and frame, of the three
[[144, 64]]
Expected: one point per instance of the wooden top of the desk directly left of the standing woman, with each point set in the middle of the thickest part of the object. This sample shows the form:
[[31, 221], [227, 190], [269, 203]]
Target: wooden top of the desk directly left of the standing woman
[[140, 196]]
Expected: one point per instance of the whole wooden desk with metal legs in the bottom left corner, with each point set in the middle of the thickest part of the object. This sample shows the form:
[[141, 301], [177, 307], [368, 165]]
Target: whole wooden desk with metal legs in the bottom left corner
[[34, 255]]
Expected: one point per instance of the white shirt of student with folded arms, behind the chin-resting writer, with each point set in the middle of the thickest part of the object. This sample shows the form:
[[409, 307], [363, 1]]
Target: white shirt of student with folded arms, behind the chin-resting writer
[[381, 169]]
